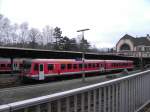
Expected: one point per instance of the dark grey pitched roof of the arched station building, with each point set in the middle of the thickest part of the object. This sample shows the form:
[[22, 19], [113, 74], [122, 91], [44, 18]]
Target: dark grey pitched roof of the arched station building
[[138, 40]]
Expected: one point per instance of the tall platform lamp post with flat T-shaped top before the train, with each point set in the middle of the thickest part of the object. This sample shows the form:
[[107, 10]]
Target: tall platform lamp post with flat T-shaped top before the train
[[83, 54]]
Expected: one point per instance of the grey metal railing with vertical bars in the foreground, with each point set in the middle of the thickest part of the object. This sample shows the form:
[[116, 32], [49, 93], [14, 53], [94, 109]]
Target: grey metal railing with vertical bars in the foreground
[[125, 94]]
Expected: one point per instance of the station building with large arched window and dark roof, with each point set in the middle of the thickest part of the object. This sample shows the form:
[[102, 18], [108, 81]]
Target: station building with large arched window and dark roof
[[134, 46]]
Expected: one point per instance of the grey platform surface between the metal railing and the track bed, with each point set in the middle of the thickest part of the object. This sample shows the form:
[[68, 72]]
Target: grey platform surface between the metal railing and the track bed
[[9, 95]]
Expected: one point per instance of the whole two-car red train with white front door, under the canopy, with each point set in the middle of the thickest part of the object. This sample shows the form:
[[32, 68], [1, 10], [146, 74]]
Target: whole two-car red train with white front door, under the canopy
[[40, 69]]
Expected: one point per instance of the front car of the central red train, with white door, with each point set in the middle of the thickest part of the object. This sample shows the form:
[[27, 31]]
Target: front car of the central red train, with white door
[[41, 68]]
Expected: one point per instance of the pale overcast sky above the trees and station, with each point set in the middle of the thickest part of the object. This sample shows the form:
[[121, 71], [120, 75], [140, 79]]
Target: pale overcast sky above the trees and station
[[108, 20]]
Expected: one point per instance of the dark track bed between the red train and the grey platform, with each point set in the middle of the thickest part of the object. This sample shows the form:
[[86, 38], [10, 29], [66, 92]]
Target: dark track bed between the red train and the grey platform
[[7, 80]]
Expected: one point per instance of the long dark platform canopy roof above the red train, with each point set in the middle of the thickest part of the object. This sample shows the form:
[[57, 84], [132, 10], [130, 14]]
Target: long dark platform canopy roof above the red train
[[11, 52]]
